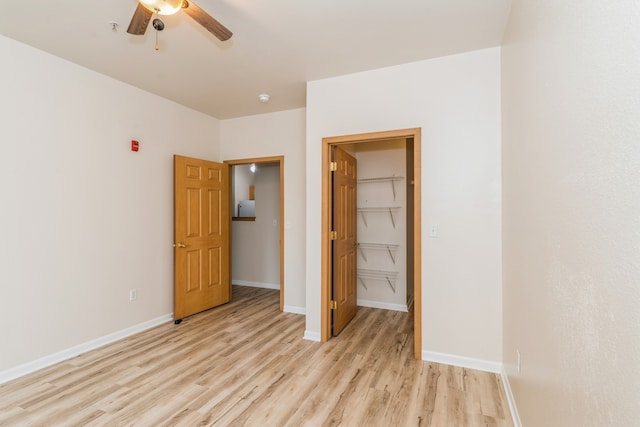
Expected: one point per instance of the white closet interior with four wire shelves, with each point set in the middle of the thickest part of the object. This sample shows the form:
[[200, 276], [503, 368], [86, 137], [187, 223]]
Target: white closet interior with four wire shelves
[[384, 224]]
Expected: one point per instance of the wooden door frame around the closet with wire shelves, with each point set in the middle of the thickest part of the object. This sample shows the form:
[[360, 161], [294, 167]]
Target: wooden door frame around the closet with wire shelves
[[327, 207]]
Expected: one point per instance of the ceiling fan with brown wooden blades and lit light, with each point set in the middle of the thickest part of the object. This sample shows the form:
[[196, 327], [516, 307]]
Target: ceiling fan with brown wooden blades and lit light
[[146, 8]]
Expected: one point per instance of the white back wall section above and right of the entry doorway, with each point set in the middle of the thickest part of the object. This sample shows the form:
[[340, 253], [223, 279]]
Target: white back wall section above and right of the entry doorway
[[276, 134]]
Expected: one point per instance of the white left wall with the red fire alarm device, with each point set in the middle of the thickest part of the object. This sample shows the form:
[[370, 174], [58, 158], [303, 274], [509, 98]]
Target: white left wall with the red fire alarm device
[[84, 219]]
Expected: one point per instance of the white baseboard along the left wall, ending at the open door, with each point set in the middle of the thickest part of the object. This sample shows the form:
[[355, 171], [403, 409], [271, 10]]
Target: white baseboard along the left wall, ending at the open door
[[63, 355]]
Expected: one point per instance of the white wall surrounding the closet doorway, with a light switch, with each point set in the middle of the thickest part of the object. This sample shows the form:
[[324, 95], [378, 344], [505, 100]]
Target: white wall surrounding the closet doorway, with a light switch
[[456, 102]]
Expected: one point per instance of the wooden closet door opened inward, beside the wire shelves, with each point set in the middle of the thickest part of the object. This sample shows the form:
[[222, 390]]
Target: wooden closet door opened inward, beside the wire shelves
[[344, 223]]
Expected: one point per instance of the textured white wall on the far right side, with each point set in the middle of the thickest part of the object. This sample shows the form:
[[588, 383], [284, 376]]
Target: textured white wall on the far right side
[[571, 209]]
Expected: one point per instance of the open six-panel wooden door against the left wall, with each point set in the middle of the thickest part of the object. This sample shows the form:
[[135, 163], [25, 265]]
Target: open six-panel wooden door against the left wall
[[201, 215]]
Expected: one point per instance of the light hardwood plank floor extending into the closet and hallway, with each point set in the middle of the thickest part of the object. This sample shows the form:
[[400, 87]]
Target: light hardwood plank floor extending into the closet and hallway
[[245, 363]]
